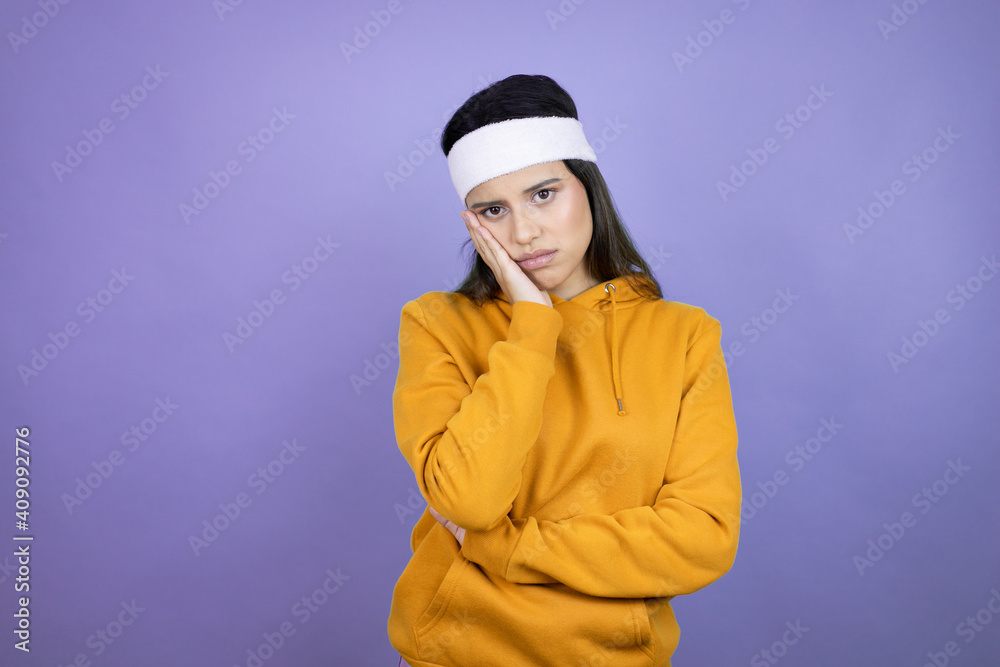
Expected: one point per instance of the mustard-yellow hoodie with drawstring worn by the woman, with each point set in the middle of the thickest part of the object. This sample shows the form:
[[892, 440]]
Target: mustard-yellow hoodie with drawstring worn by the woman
[[588, 449]]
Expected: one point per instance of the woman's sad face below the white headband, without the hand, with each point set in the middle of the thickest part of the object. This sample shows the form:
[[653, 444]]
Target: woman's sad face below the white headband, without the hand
[[541, 207]]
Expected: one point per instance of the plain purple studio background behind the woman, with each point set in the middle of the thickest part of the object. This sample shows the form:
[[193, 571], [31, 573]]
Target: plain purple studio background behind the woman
[[342, 502]]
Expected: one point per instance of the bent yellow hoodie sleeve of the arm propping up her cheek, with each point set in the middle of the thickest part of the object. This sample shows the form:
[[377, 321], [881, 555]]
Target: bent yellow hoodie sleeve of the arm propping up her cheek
[[467, 445]]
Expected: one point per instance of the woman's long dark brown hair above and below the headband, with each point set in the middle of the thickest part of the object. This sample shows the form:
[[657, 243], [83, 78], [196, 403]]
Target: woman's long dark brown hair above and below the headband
[[611, 252]]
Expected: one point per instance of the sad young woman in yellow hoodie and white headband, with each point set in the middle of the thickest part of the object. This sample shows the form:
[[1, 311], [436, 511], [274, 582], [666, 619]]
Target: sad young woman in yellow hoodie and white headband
[[572, 432]]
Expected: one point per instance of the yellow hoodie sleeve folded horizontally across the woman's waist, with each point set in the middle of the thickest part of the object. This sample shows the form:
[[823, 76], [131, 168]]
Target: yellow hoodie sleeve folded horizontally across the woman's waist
[[684, 541]]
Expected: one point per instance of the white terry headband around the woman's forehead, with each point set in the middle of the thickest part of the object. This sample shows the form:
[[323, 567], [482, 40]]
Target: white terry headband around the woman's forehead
[[510, 145]]
